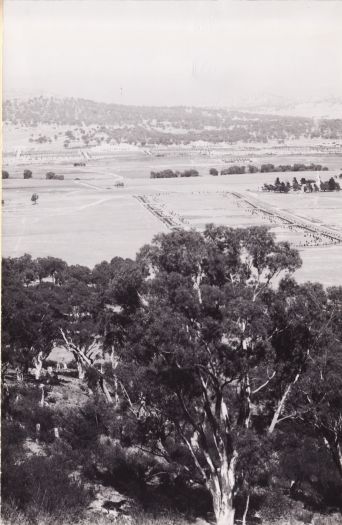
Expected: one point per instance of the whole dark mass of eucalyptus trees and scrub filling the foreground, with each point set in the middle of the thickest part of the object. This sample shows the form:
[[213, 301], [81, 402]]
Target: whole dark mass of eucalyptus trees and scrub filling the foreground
[[217, 378]]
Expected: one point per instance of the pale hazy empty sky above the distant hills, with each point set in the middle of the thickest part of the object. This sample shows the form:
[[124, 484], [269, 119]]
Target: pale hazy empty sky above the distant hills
[[203, 53]]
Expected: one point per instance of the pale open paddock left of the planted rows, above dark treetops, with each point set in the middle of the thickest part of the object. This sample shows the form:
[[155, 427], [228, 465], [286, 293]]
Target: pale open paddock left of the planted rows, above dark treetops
[[81, 224]]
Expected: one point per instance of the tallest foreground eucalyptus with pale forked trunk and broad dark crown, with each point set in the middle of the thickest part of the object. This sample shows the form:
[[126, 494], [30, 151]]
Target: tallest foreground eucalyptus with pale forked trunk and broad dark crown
[[200, 351]]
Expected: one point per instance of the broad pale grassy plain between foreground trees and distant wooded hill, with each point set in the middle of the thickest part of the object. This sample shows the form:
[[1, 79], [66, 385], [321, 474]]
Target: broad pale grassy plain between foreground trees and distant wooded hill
[[85, 219]]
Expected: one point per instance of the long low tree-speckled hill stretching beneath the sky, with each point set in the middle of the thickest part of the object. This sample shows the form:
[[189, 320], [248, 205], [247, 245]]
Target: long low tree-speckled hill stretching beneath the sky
[[167, 125]]
